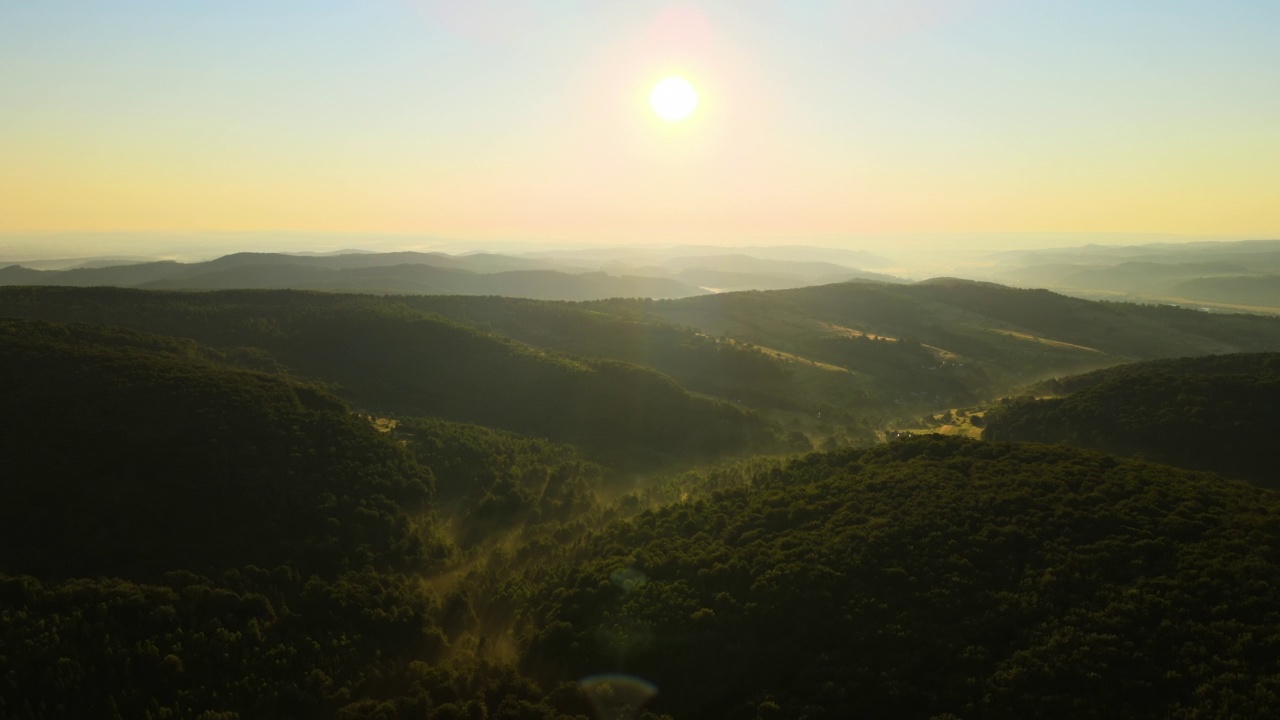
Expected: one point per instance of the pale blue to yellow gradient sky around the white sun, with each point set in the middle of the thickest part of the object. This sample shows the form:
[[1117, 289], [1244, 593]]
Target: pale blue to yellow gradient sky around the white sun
[[500, 120]]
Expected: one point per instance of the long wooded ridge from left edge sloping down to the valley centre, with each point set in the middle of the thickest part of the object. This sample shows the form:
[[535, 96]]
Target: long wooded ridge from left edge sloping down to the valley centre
[[386, 357]]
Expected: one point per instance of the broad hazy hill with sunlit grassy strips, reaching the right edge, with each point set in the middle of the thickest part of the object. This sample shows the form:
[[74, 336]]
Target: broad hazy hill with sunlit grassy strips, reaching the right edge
[[842, 358]]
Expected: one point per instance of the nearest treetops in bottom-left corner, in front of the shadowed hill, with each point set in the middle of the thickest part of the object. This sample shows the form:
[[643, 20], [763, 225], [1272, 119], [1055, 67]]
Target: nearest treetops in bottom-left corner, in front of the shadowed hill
[[252, 644]]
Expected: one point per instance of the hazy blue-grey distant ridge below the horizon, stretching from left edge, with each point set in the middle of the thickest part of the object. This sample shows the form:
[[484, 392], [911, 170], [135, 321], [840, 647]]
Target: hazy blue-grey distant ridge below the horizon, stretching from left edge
[[438, 274]]
